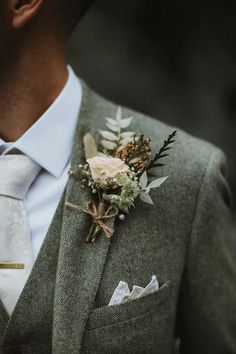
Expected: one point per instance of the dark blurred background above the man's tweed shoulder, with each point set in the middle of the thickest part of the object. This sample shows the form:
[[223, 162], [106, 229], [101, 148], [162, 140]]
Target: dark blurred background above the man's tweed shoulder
[[174, 60]]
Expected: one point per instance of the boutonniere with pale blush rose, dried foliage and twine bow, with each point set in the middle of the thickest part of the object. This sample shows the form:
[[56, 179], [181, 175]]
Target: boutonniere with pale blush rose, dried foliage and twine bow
[[119, 168]]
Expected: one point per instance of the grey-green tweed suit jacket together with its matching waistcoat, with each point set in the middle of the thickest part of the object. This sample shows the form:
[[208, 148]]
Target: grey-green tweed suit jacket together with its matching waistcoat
[[183, 240]]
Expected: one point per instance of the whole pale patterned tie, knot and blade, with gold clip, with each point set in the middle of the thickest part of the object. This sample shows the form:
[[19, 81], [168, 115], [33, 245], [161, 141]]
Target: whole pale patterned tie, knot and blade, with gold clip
[[17, 172]]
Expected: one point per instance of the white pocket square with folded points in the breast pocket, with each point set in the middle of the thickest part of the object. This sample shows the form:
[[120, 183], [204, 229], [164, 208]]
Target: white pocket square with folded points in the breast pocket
[[122, 293]]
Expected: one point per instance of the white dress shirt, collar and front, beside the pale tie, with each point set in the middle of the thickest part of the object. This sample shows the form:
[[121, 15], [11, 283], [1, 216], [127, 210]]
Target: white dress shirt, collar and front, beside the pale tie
[[49, 143]]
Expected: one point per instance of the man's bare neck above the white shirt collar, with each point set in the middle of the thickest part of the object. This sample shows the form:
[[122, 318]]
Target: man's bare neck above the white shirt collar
[[28, 93]]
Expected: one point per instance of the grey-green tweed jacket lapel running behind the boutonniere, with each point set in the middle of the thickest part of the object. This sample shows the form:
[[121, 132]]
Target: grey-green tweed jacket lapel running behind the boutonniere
[[80, 265]]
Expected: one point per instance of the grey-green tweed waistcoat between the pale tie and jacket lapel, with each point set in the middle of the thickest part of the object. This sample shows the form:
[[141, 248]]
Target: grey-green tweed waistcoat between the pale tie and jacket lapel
[[31, 320]]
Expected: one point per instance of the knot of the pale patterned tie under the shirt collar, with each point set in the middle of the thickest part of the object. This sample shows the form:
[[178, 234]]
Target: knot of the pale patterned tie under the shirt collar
[[17, 172]]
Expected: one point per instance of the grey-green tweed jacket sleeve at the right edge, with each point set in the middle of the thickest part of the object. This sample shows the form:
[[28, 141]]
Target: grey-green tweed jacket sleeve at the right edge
[[207, 302]]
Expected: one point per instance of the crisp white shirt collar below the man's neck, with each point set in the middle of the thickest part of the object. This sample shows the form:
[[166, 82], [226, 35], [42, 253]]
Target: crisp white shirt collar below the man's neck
[[49, 141]]
